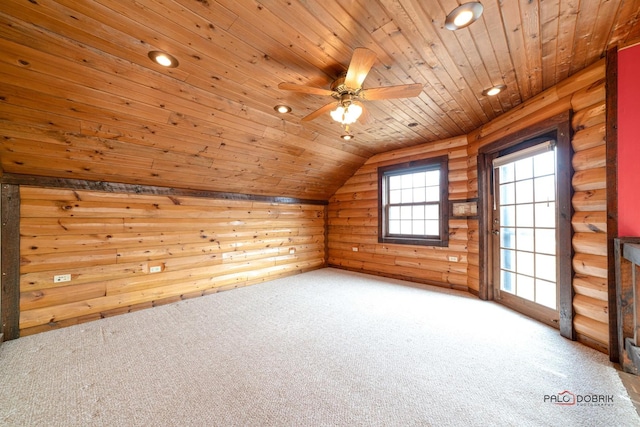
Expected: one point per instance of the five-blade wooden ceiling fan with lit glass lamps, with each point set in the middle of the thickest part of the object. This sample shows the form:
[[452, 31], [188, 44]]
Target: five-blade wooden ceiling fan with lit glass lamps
[[347, 90]]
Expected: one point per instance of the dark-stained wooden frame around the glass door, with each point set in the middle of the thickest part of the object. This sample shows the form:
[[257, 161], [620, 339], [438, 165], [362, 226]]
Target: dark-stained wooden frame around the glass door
[[558, 128]]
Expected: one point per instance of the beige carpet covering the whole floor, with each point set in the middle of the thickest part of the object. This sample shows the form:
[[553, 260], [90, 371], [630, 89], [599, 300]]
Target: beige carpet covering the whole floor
[[326, 348]]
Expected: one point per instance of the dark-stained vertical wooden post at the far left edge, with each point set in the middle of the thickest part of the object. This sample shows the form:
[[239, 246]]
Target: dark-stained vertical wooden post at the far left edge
[[10, 262]]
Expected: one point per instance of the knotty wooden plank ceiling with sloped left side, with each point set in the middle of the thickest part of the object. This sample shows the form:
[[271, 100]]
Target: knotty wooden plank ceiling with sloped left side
[[79, 98]]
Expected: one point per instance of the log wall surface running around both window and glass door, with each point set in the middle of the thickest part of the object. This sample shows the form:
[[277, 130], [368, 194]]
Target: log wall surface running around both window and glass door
[[353, 209]]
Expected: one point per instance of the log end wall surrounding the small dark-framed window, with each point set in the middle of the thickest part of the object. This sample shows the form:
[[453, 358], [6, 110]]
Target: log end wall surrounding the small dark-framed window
[[353, 223]]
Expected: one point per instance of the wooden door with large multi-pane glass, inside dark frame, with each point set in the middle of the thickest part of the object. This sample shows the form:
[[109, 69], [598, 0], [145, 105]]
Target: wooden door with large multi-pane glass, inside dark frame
[[524, 232]]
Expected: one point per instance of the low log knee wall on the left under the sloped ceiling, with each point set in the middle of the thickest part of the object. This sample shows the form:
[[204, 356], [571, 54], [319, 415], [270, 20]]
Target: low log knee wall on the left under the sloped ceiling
[[111, 244]]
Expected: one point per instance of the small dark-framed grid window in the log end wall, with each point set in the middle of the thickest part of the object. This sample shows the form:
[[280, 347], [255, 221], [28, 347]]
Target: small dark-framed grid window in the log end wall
[[412, 203]]
